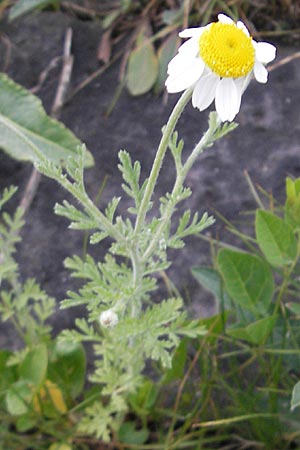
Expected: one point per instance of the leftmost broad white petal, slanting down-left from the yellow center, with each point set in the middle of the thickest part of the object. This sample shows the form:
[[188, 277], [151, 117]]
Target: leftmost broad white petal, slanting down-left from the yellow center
[[188, 76]]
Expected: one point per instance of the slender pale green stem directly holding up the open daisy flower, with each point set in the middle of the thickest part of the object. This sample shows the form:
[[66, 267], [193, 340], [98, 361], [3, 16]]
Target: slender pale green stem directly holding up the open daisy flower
[[161, 151]]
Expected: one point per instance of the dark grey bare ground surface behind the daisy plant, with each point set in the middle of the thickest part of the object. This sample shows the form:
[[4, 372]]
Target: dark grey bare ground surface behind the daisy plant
[[266, 144]]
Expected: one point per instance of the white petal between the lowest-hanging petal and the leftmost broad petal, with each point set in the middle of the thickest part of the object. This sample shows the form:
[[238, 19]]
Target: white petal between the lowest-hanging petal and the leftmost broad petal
[[205, 91]]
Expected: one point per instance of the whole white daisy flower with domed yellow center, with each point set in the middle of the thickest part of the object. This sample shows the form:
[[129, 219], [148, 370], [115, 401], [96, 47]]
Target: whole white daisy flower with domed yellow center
[[217, 61]]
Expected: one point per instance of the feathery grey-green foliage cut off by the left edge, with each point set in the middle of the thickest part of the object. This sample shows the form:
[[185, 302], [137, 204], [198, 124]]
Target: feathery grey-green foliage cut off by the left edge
[[25, 305]]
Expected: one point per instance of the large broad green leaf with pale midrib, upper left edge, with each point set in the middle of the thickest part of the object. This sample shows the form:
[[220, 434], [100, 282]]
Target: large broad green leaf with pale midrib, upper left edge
[[27, 133]]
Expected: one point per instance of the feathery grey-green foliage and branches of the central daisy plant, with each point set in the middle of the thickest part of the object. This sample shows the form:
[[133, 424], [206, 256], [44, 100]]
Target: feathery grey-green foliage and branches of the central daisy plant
[[123, 282]]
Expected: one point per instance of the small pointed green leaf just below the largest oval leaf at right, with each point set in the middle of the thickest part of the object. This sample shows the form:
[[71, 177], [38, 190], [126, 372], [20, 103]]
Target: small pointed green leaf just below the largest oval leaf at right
[[257, 332]]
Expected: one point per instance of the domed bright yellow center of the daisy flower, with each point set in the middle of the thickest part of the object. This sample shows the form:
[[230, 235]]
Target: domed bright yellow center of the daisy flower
[[227, 50]]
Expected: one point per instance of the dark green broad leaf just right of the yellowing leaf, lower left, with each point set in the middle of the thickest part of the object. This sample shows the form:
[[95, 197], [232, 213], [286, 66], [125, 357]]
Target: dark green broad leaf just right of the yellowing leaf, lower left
[[68, 367]]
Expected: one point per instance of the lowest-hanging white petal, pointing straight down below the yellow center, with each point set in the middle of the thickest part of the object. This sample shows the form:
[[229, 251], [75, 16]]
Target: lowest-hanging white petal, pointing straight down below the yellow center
[[228, 99]]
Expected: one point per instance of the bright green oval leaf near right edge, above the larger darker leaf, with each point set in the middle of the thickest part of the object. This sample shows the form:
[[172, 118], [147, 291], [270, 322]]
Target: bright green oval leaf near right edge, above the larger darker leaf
[[275, 238]]
